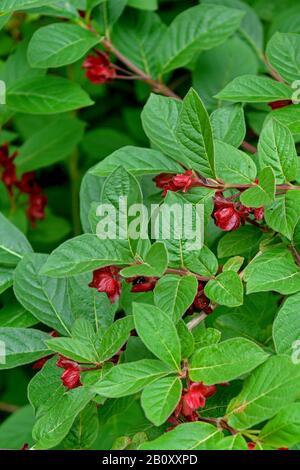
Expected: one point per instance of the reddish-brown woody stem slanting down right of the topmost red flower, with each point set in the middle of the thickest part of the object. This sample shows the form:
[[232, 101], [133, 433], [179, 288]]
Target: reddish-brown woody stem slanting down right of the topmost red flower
[[155, 84]]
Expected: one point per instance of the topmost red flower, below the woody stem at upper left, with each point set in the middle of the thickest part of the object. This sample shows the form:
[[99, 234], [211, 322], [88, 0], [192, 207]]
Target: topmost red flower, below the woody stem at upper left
[[99, 69]]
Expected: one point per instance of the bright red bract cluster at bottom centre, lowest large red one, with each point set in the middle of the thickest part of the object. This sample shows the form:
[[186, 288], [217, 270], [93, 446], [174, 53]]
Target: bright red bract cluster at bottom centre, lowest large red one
[[193, 397]]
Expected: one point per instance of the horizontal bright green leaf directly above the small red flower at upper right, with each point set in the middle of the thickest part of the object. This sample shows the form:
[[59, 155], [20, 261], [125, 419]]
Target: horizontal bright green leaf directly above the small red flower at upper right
[[252, 89]]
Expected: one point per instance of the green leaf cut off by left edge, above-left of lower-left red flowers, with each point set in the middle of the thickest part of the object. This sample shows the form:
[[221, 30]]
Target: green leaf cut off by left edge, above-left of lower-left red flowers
[[21, 346]]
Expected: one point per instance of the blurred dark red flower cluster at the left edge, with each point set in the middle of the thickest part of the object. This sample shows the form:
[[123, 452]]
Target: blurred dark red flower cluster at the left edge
[[27, 185]]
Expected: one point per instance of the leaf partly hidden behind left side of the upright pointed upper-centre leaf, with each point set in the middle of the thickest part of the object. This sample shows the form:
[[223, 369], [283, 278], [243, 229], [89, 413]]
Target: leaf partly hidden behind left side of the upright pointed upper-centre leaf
[[159, 119]]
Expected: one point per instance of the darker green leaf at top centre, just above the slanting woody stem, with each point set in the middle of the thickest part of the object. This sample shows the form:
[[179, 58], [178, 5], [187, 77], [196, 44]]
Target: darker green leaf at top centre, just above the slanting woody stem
[[137, 35]]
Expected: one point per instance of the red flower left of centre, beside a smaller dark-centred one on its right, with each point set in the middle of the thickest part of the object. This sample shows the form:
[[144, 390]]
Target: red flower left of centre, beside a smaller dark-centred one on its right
[[107, 280]]
